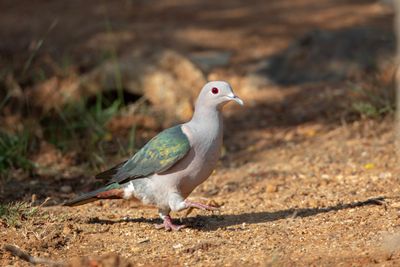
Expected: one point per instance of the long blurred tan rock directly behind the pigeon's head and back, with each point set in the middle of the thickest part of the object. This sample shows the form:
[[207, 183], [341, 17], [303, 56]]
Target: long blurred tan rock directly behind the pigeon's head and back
[[169, 80]]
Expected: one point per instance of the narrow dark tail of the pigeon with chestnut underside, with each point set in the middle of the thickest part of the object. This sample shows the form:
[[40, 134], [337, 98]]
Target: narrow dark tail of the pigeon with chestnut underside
[[111, 191]]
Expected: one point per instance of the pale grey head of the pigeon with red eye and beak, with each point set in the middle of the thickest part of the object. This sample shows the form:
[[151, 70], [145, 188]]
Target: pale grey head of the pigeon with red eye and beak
[[217, 94]]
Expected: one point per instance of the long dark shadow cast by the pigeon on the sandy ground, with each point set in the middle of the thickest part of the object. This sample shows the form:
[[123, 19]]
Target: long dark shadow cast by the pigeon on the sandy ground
[[216, 221]]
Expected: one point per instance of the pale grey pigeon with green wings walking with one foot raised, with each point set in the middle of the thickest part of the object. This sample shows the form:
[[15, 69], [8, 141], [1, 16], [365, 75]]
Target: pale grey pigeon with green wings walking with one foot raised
[[172, 164]]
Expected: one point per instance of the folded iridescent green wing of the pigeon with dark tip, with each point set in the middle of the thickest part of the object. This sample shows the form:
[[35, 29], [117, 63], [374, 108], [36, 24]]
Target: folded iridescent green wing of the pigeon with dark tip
[[158, 155]]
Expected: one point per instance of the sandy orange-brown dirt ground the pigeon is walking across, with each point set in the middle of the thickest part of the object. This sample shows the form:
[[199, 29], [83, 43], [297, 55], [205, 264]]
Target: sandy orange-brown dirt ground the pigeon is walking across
[[301, 182]]
